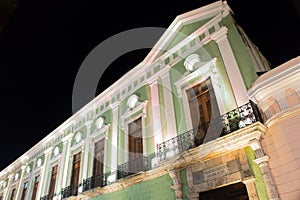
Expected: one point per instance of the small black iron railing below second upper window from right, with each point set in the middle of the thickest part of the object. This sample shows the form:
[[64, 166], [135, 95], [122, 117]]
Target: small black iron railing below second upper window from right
[[133, 166]]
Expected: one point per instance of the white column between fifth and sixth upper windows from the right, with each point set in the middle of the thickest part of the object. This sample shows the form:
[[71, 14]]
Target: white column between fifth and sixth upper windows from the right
[[43, 183]]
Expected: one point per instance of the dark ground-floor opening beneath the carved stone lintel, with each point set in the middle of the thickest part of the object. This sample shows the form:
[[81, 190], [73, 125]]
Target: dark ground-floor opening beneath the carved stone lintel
[[236, 191]]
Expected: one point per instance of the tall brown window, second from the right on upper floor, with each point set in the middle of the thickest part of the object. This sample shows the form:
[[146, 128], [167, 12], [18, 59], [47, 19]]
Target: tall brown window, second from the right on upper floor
[[135, 146]]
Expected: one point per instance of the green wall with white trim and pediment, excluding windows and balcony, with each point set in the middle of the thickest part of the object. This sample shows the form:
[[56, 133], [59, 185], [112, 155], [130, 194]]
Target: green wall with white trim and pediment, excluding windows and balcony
[[203, 43]]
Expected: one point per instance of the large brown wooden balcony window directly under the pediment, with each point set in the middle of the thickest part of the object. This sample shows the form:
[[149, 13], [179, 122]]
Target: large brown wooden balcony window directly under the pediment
[[203, 107]]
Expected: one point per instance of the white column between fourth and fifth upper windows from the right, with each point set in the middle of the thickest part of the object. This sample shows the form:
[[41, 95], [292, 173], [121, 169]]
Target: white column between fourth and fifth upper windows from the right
[[63, 160]]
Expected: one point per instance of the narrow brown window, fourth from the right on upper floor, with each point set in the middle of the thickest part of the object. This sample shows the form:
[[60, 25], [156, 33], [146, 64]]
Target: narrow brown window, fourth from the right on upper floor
[[75, 173]]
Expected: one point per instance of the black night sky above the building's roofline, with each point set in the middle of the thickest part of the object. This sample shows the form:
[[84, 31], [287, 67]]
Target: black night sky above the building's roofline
[[45, 42]]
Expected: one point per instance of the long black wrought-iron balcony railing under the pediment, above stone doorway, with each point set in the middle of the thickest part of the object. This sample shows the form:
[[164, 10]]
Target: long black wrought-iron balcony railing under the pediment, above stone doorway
[[229, 122]]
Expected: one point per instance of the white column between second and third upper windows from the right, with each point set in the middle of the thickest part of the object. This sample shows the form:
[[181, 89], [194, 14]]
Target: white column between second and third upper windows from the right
[[114, 141]]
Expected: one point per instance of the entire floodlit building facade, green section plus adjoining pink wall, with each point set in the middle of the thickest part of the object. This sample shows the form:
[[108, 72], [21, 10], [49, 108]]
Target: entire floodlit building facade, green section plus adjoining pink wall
[[192, 121]]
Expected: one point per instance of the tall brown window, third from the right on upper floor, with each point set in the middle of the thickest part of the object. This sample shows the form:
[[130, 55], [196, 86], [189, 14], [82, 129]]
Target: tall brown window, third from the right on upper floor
[[98, 162]]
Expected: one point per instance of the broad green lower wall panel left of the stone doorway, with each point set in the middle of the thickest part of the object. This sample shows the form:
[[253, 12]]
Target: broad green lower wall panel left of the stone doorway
[[155, 189]]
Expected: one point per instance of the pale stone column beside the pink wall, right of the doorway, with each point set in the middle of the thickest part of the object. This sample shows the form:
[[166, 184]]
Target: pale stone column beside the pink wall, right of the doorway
[[263, 162]]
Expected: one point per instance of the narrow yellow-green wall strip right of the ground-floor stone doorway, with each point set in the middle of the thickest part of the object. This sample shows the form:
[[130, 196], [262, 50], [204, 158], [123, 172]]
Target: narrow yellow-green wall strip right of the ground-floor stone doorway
[[259, 181]]
